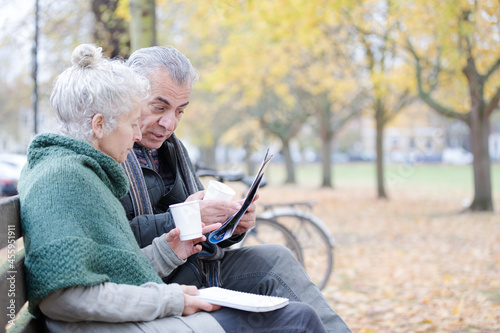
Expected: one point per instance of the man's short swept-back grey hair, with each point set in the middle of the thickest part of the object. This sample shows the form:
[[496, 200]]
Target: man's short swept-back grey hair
[[146, 60]]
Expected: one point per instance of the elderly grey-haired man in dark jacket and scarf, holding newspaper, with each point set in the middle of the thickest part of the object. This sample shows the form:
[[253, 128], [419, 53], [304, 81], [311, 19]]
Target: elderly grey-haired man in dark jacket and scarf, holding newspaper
[[161, 174]]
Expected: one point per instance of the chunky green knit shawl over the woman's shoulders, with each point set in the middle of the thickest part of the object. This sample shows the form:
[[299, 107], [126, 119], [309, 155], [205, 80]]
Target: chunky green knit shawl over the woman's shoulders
[[74, 226]]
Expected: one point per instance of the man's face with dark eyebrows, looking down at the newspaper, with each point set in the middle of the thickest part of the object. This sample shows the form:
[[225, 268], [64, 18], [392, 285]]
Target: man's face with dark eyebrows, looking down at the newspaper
[[162, 110]]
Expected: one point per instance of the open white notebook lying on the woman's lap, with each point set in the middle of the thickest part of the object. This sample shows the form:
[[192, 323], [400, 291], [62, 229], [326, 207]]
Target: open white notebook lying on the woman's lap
[[242, 301]]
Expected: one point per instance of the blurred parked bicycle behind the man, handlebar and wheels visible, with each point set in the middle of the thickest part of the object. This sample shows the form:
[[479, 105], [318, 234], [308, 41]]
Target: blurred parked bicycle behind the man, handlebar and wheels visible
[[284, 223]]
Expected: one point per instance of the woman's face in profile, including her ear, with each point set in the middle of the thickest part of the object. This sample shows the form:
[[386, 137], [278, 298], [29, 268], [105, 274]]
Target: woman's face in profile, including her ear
[[118, 143]]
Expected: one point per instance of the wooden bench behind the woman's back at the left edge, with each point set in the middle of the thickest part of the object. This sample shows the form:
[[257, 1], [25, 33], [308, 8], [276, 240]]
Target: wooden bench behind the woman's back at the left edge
[[13, 300]]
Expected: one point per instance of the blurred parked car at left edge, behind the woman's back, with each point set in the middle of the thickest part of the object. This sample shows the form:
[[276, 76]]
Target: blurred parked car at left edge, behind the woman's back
[[10, 171]]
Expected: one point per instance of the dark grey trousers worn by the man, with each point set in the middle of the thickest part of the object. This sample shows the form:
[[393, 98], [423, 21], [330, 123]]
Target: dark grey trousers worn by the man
[[269, 269]]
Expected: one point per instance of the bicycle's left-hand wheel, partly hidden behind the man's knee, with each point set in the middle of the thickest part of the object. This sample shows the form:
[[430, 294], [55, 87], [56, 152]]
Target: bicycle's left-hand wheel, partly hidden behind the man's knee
[[270, 232]]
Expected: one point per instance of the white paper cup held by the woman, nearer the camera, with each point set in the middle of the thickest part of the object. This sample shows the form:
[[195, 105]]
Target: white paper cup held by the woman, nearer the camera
[[187, 218]]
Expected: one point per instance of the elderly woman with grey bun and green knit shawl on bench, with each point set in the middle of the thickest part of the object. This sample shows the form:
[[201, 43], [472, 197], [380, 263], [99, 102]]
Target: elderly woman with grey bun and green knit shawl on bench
[[84, 268]]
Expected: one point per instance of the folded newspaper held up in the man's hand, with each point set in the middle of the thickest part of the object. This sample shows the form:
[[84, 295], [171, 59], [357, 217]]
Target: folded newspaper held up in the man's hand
[[227, 228]]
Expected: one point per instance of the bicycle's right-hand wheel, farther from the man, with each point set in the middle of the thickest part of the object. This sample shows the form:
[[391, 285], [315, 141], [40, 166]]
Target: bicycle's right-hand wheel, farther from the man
[[314, 238]]
